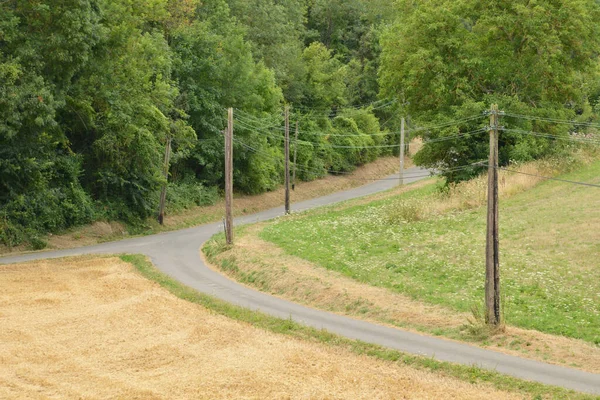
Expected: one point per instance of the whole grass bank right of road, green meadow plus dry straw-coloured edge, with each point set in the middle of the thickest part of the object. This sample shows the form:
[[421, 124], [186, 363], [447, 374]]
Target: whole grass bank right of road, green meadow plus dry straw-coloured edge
[[414, 258]]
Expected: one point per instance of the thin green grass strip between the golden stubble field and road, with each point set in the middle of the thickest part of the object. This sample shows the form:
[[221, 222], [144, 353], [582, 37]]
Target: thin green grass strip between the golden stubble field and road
[[293, 329]]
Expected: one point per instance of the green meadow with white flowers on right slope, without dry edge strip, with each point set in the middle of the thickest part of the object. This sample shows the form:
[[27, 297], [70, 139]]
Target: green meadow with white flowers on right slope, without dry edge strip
[[550, 248]]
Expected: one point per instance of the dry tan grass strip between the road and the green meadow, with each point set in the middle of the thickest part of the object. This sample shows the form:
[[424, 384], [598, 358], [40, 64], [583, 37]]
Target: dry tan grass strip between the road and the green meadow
[[265, 266]]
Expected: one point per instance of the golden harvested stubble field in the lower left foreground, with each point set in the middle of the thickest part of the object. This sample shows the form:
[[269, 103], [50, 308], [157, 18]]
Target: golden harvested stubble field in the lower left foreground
[[94, 328]]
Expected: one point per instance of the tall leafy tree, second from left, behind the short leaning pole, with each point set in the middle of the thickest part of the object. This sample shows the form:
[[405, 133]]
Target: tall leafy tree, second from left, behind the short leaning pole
[[120, 127]]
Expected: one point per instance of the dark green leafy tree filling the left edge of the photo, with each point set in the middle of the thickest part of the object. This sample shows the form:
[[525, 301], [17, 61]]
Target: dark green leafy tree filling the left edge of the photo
[[43, 47]]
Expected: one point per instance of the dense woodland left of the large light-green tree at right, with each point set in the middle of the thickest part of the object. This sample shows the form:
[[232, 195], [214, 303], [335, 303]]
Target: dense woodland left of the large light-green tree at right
[[92, 89]]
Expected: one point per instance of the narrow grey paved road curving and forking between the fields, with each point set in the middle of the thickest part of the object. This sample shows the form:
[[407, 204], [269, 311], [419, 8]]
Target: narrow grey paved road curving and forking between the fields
[[177, 254]]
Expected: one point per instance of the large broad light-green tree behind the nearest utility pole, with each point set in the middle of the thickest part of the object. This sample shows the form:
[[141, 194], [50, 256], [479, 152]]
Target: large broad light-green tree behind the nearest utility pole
[[450, 59]]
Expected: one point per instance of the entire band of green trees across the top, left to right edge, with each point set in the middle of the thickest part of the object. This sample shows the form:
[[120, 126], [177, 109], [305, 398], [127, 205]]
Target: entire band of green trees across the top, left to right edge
[[91, 92]]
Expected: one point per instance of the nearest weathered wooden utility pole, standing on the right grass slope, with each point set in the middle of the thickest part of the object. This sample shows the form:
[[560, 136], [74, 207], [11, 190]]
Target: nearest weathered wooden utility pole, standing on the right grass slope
[[492, 260]]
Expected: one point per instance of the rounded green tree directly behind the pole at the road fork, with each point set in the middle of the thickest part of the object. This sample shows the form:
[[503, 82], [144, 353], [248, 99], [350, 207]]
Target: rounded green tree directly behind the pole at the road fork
[[216, 70]]
